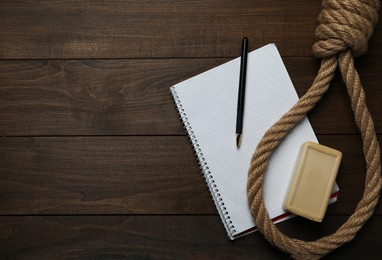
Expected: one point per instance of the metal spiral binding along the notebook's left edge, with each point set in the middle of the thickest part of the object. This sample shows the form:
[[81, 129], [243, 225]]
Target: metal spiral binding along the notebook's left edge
[[208, 177]]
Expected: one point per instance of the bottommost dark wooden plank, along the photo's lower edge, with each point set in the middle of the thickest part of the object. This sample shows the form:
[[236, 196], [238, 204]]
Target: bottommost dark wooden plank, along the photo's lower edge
[[164, 237]]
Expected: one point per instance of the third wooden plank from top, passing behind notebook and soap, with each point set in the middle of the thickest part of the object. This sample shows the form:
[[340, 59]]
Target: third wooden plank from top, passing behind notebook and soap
[[129, 175]]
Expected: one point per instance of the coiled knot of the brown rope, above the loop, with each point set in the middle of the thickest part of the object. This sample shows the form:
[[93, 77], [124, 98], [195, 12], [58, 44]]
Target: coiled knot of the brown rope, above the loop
[[345, 24]]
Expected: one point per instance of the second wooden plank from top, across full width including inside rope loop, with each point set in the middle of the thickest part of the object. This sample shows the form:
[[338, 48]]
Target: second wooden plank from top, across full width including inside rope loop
[[131, 97]]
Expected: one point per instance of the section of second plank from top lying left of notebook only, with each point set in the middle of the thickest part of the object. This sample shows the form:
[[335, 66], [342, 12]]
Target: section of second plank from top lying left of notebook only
[[103, 97]]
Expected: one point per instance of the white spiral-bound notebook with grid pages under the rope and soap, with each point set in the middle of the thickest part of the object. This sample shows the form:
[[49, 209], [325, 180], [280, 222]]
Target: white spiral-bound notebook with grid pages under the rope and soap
[[207, 105]]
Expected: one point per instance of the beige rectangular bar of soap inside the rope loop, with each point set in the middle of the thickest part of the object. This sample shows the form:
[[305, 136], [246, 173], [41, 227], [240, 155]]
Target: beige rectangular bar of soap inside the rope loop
[[312, 182]]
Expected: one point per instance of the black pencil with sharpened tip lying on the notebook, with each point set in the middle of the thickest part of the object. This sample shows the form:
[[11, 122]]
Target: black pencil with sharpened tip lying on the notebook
[[241, 95]]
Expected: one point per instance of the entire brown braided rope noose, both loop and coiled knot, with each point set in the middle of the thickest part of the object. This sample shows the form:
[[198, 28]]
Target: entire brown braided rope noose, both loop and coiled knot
[[345, 27]]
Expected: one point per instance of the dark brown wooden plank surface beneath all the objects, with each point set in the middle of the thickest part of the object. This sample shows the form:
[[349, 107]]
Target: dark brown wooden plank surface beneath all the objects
[[94, 162]]
